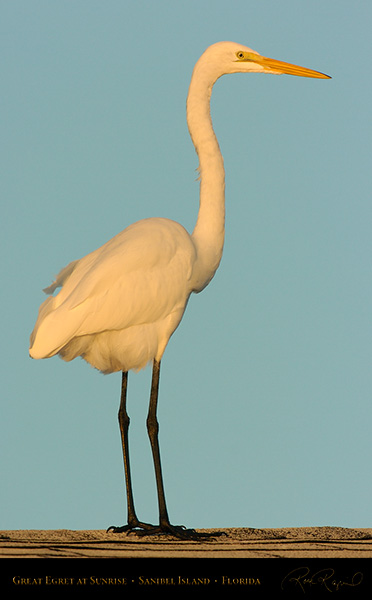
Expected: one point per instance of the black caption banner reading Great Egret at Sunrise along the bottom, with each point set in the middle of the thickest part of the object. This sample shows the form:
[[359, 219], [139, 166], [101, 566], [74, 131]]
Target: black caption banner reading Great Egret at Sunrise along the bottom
[[251, 578]]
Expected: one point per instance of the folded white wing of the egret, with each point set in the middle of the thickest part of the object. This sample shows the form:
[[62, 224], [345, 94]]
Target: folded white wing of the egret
[[139, 276]]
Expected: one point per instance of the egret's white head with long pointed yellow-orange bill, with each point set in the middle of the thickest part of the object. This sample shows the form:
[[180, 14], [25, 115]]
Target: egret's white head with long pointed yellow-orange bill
[[228, 57]]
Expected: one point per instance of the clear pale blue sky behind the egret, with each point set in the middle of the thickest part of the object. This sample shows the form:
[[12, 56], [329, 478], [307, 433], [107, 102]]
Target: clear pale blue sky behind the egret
[[265, 398]]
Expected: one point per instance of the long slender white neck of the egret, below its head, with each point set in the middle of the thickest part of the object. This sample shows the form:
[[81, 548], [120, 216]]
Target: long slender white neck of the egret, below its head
[[209, 232]]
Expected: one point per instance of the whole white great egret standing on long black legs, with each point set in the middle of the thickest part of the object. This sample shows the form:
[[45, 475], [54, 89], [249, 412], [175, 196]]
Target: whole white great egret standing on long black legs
[[119, 305]]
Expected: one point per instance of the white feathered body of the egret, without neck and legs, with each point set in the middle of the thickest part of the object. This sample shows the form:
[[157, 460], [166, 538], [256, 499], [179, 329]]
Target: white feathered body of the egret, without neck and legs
[[119, 305]]
